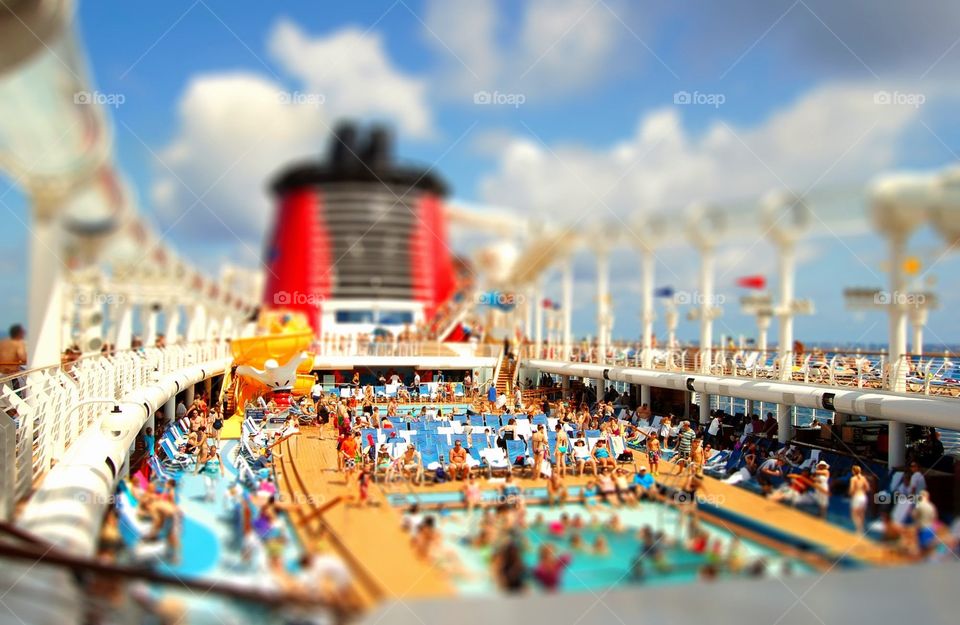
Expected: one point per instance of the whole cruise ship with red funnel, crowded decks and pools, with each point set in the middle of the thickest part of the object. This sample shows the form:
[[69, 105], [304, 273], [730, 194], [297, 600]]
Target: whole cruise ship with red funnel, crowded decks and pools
[[375, 429]]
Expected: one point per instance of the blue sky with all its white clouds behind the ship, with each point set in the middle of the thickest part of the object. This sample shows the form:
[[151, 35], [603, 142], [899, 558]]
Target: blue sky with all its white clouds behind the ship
[[787, 94]]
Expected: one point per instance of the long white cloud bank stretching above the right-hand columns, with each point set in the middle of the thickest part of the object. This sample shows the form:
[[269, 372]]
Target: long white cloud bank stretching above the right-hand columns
[[834, 133]]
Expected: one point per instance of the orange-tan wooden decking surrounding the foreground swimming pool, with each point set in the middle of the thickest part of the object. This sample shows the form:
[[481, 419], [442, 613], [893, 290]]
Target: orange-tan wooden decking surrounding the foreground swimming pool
[[375, 546]]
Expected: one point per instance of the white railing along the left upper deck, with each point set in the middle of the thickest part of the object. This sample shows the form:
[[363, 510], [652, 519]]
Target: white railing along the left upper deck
[[46, 407]]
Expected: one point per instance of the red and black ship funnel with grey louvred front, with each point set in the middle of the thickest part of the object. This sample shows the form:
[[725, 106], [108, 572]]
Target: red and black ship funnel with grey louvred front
[[359, 241]]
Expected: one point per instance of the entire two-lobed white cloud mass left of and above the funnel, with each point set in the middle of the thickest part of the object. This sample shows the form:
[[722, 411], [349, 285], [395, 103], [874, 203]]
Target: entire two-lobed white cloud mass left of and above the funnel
[[236, 130]]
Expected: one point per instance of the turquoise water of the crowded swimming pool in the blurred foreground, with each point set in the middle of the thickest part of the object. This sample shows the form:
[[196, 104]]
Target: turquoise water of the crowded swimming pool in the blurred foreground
[[589, 572]]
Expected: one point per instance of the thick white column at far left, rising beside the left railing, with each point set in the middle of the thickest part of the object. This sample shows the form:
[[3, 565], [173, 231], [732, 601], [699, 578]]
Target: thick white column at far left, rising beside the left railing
[[45, 305]]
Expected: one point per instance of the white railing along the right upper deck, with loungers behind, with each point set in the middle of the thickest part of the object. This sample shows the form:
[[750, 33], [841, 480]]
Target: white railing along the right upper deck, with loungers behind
[[928, 375]]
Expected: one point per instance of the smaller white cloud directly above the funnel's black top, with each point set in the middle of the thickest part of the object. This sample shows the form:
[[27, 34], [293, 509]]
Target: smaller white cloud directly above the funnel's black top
[[352, 72]]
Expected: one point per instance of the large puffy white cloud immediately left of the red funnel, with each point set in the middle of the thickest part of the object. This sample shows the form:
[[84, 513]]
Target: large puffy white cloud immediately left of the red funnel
[[235, 131]]
